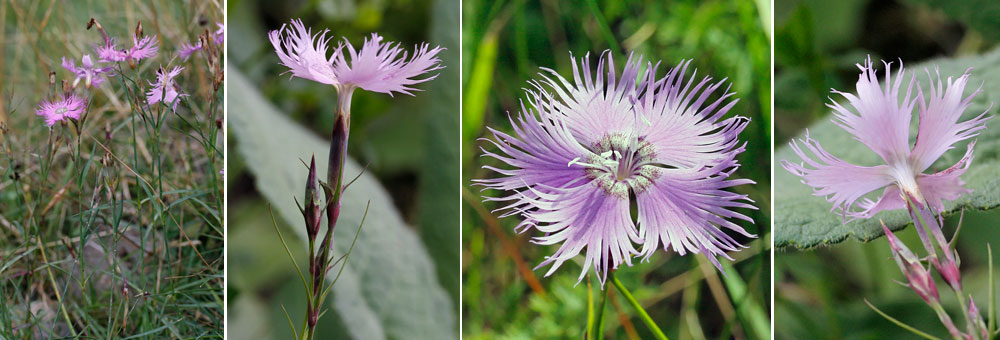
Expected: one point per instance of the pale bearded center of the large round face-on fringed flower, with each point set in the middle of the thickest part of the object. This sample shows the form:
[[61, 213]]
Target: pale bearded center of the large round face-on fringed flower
[[620, 163]]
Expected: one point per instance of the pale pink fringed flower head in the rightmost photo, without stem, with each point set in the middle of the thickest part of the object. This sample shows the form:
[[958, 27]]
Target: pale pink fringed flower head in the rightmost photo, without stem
[[881, 122]]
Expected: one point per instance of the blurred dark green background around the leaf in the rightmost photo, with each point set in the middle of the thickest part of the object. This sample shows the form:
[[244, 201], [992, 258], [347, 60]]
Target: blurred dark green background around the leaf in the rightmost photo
[[820, 292]]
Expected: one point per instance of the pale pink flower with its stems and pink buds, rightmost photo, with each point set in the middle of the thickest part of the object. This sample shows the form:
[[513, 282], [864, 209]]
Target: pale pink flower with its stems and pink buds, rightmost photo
[[881, 121]]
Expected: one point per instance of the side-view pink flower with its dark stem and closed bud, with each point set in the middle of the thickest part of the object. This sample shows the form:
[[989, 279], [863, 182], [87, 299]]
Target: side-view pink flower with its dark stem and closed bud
[[377, 67]]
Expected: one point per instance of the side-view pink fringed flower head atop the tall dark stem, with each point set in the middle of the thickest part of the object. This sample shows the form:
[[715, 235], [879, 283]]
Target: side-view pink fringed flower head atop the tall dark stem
[[376, 66]]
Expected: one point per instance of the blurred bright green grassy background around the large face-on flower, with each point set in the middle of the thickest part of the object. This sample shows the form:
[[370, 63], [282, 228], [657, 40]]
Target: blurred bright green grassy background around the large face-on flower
[[504, 44]]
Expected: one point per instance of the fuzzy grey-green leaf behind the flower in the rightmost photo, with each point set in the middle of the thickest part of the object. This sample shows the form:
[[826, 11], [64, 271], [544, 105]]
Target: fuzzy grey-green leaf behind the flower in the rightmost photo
[[803, 220]]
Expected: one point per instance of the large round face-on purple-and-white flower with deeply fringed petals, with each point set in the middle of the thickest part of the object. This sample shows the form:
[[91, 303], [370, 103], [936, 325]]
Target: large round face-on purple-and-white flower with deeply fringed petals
[[582, 148]]
